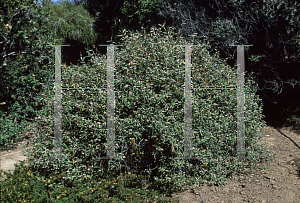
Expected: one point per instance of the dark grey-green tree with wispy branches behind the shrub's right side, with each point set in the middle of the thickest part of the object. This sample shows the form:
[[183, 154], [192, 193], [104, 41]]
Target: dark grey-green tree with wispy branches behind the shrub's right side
[[272, 27]]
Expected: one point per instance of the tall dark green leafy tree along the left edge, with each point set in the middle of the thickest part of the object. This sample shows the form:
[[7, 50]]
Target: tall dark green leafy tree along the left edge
[[23, 57]]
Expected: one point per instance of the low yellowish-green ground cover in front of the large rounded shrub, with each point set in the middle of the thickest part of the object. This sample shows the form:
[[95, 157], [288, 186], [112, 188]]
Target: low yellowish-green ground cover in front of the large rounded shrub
[[23, 185]]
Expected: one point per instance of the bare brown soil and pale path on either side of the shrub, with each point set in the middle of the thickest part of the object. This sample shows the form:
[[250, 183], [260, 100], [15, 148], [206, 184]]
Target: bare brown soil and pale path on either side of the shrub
[[274, 180]]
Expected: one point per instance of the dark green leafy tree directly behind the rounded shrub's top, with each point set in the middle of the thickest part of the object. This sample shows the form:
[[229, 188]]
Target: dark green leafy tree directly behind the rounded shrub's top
[[112, 16]]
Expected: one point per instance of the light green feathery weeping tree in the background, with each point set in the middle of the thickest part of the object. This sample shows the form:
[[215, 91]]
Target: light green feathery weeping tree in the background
[[74, 26]]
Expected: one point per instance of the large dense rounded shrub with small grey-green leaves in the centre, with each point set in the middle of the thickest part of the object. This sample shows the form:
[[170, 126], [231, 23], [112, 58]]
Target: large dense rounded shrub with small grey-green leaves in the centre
[[149, 110]]
